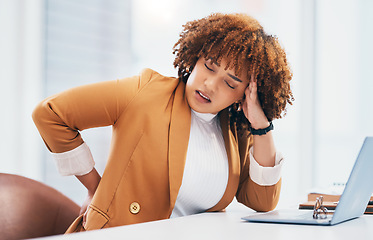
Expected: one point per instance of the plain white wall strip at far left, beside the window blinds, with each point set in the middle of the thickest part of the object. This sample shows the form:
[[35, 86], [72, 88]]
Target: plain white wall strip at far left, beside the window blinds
[[21, 78]]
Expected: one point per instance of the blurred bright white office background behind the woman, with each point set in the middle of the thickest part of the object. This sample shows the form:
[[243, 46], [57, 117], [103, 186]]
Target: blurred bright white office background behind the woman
[[47, 46]]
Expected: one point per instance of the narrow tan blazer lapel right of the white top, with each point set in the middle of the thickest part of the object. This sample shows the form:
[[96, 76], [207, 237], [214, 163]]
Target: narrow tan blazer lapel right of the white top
[[231, 146]]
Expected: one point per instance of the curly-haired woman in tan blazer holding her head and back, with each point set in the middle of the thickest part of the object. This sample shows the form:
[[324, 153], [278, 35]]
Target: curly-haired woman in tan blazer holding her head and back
[[180, 145]]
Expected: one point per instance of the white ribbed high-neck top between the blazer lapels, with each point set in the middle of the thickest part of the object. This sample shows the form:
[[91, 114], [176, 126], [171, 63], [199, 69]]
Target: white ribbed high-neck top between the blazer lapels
[[206, 168]]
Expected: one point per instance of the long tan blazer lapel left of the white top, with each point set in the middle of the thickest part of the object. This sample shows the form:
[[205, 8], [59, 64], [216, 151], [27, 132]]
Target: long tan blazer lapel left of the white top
[[178, 141]]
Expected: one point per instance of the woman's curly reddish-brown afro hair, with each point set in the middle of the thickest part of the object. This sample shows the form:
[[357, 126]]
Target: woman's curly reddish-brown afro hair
[[242, 42]]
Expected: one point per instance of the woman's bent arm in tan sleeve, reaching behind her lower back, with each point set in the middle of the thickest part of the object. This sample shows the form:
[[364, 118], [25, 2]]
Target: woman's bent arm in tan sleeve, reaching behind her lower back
[[61, 117]]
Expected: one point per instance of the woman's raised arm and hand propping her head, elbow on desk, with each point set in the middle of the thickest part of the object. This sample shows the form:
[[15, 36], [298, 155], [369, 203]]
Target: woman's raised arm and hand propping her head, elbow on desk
[[260, 185]]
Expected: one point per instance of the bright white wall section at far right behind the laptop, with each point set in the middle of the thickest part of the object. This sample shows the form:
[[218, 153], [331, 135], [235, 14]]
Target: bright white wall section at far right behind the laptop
[[344, 101]]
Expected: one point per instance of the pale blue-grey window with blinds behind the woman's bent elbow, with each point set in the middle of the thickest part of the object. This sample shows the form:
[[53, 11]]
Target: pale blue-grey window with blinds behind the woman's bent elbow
[[85, 42]]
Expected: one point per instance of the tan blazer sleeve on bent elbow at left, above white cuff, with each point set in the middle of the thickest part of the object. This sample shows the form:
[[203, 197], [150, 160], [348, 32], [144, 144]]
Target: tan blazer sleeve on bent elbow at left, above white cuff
[[61, 117]]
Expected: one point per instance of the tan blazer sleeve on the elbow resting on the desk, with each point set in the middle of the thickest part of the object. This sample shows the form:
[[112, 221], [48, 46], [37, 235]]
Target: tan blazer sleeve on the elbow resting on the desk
[[260, 198]]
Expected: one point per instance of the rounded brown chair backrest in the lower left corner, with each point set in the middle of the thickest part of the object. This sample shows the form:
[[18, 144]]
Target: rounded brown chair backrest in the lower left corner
[[29, 209]]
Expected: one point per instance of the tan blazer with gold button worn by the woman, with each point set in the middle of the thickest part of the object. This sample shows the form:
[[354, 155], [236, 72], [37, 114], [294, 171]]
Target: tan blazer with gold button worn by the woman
[[150, 118]]
